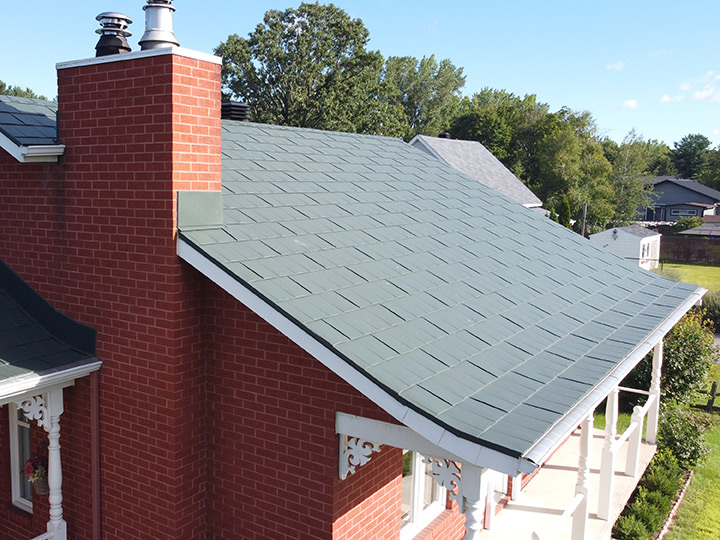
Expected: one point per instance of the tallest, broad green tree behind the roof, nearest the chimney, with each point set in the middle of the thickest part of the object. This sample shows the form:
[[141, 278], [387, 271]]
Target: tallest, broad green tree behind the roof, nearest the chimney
[[307, 67]]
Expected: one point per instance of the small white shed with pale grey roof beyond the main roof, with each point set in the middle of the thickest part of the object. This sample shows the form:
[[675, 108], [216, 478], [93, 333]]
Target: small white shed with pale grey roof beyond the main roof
[[634, 243]]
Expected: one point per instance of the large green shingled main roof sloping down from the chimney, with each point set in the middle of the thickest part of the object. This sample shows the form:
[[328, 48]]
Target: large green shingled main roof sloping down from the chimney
[[482, 315]]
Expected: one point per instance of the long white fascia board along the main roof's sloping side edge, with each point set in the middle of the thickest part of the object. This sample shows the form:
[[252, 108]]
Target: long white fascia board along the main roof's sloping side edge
[[430, 431]]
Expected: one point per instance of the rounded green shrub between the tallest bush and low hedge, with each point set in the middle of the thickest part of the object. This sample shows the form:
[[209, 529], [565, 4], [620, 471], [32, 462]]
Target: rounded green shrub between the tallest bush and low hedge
[[681, 431]]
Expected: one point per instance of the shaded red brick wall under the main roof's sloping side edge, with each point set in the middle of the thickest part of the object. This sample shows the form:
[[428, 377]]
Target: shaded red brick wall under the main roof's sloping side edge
[[272, 448]]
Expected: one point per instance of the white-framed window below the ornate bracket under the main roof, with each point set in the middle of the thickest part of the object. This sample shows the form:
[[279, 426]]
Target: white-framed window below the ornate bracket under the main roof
[[423, 499]]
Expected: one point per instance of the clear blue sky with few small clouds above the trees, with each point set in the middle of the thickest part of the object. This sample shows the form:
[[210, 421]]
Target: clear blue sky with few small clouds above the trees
[[649, 65]]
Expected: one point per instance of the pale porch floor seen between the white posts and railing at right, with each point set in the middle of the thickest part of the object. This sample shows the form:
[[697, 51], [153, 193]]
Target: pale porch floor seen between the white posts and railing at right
[[546, 497]]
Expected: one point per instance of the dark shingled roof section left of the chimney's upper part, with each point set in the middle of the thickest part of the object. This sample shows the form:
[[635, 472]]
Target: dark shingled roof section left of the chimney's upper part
[[28, 122]]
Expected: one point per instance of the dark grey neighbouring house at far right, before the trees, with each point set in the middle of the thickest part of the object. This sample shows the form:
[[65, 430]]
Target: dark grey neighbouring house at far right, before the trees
[[675, 198]]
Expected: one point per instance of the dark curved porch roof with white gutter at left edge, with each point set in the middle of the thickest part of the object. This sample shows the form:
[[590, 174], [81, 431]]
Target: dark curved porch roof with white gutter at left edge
[[39, 347]]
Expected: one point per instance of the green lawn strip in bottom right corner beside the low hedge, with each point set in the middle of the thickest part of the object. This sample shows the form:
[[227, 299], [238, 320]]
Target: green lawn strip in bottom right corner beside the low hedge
[[699, 514]]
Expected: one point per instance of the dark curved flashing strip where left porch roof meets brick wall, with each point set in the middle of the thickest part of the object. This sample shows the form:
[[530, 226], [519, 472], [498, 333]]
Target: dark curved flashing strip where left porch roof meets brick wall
[[75, 334]]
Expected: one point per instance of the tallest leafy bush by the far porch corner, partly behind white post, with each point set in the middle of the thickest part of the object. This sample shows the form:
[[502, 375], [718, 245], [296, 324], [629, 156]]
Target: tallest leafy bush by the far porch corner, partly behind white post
[[689, 351]]
